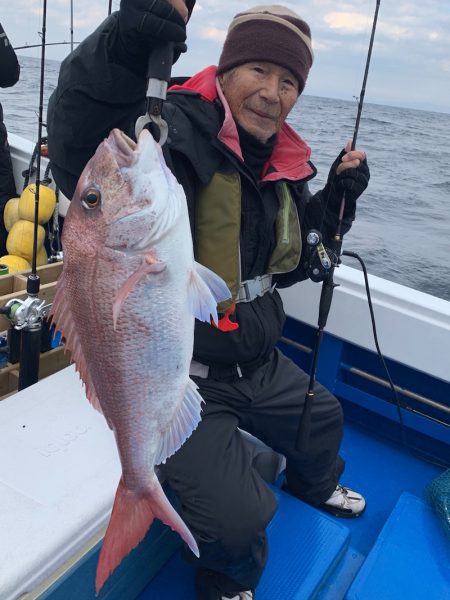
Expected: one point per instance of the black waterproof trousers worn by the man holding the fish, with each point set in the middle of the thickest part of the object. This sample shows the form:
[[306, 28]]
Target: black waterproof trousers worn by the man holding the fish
[[225, 502]]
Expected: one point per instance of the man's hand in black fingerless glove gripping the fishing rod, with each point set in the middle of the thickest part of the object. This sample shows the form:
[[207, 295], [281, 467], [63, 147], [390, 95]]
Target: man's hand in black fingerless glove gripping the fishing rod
[[350, 172]]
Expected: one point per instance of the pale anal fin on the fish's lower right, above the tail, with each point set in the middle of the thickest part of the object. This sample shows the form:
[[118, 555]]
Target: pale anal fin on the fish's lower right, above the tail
[[186, 418]]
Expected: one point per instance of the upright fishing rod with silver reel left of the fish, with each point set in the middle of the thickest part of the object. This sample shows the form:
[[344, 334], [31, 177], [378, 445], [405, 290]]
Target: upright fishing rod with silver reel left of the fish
[[26, 315]]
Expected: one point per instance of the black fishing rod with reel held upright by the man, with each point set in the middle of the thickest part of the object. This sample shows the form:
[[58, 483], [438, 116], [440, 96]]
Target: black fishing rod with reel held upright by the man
[[325, 261]]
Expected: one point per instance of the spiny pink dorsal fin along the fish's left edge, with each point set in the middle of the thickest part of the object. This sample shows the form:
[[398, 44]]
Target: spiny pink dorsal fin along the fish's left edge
[[61, 317]]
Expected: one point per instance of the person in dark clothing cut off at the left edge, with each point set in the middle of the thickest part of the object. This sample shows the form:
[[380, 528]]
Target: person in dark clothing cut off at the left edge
[[9, 76]]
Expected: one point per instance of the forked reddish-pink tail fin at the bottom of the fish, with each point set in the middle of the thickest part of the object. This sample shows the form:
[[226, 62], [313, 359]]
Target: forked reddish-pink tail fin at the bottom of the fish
[[131, 517]]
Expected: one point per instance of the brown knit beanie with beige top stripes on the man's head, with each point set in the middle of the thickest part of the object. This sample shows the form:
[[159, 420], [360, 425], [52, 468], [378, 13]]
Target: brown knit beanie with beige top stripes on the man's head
[[270, 33]]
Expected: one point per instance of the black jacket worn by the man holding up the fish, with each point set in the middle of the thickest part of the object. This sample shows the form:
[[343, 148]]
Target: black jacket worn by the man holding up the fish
[[95, 94]]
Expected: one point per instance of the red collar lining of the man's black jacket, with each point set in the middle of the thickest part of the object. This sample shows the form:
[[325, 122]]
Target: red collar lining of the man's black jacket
[[291, 154]]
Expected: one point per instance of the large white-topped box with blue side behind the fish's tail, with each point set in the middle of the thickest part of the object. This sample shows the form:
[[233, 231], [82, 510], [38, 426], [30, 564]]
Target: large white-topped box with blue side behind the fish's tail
[[59, 470]]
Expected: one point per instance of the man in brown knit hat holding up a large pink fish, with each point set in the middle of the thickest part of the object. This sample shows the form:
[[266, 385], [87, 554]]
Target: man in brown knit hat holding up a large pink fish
[[245, 173]]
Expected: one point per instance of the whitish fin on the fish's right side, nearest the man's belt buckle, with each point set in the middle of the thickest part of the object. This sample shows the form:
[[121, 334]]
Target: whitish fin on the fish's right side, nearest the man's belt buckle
[[206, 290]]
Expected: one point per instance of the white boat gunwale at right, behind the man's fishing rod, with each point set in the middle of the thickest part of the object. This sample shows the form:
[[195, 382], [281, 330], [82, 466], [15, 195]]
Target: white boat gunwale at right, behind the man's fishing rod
[[413, 328]]
